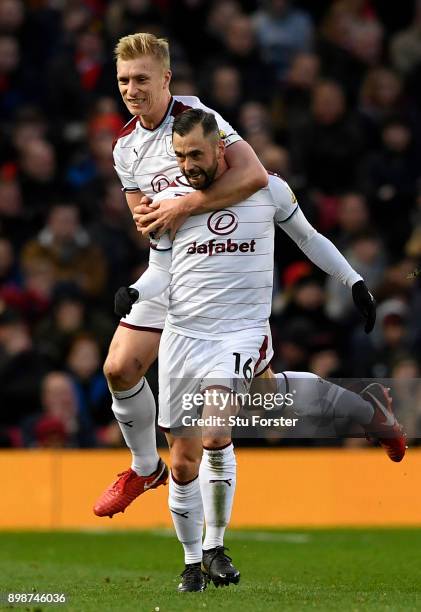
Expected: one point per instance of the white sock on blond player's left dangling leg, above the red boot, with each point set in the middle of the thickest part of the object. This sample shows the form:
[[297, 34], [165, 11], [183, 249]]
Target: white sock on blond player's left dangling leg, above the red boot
[[135, 412]]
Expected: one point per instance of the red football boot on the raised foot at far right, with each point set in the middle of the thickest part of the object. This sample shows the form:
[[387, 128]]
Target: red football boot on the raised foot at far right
[[384, 428]]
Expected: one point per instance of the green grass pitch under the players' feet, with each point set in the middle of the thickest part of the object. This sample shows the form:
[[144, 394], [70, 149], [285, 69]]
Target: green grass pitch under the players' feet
[[351, 570]]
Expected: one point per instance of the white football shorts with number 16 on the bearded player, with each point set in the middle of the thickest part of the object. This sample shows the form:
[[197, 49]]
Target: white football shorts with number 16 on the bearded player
[[187, 366]]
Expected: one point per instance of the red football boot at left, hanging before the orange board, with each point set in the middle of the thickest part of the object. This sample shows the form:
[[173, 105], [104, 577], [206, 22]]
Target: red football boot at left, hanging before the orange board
[[126, 488]]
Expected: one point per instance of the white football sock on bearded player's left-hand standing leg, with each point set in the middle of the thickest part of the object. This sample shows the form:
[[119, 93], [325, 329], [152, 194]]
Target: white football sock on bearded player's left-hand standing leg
[[185, 503]]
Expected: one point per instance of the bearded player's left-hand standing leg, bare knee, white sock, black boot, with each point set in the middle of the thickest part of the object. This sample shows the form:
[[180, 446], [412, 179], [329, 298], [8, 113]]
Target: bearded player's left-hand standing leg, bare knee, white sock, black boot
[[185, 503]]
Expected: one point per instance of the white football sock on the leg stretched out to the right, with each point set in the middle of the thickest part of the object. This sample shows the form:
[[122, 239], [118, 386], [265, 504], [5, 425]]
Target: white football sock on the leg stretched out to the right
[[318, 397]]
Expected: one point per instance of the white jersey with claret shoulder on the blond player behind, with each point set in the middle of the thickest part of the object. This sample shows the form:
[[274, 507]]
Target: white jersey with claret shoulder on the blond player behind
[[144, 159]]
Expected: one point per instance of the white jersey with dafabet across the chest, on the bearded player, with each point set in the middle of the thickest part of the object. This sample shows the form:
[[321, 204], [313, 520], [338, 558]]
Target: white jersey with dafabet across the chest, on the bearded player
[[222, 263]]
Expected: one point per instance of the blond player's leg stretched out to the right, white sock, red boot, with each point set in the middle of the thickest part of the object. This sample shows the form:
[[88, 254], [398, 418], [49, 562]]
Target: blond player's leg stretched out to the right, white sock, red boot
[[371, 409]]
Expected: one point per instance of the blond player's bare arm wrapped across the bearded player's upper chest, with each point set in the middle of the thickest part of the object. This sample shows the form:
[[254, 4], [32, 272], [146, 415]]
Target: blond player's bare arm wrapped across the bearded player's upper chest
[[245, 176]]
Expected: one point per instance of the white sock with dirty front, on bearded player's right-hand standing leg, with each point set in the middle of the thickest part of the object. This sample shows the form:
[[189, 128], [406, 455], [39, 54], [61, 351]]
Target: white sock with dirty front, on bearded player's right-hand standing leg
[[217, 476]]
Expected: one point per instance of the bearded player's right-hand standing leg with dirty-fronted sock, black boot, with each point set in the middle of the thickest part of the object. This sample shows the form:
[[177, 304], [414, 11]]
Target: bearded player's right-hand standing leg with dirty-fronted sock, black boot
[[217, 476]]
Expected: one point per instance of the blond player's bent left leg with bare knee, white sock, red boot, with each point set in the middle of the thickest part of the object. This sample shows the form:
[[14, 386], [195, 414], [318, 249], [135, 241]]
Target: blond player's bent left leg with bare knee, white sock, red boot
[[131, 353]]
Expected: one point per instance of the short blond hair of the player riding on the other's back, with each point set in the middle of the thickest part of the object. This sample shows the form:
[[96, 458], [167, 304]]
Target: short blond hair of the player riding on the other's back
[[142, 43]]
